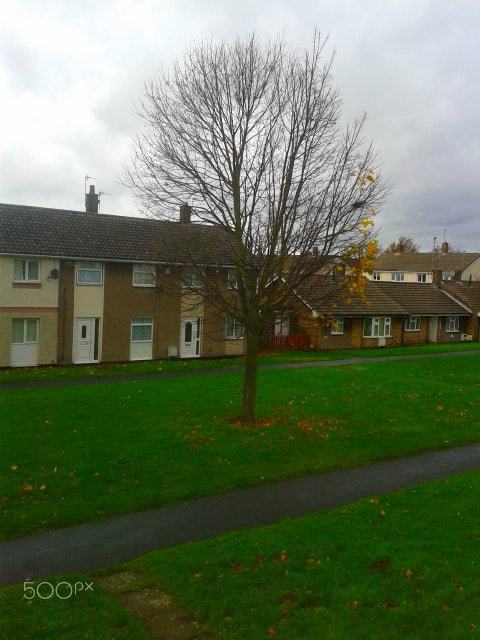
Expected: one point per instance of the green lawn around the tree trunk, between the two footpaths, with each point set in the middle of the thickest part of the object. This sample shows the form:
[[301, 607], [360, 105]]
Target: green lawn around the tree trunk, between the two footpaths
[[81, 453]]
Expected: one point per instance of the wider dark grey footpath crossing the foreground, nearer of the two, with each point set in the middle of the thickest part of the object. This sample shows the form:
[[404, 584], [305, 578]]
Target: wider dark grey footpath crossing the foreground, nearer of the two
[[101, 544]]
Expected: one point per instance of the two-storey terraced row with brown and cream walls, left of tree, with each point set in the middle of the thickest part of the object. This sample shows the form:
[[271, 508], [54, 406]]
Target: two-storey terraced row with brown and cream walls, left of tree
[[83, 287]]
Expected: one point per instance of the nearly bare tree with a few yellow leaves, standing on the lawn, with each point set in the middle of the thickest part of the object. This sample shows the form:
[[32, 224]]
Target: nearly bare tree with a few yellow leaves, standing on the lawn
[[250, 135]]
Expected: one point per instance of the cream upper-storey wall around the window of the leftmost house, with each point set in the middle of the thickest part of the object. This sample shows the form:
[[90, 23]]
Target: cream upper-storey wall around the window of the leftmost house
[[29, 294]]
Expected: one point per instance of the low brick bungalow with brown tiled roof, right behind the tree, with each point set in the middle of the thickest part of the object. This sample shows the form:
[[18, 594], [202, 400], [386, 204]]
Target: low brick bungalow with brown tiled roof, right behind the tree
[[385, 314]]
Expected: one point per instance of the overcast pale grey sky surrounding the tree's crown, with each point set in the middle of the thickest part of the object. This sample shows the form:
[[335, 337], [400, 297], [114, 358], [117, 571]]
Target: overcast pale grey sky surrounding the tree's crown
[[71, 72]]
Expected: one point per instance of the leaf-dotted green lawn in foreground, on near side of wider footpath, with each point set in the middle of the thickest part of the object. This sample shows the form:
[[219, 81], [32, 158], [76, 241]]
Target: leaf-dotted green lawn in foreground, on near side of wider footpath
[[399, 567]]
